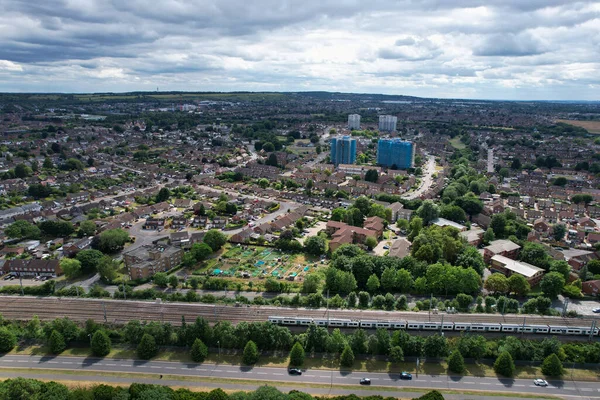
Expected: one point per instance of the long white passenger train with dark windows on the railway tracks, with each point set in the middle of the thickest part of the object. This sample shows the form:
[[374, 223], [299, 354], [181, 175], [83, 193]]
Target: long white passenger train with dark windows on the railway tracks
[[439, 326]]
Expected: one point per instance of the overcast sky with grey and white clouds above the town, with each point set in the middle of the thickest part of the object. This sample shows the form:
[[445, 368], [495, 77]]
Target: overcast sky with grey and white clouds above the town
[[505, 49]]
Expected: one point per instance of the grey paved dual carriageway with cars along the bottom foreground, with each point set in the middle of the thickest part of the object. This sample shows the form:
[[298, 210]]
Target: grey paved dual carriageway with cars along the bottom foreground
[[280, 376]]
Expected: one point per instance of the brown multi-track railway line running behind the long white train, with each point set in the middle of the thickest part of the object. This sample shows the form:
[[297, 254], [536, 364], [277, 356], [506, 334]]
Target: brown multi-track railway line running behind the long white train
[[120, 312]]
